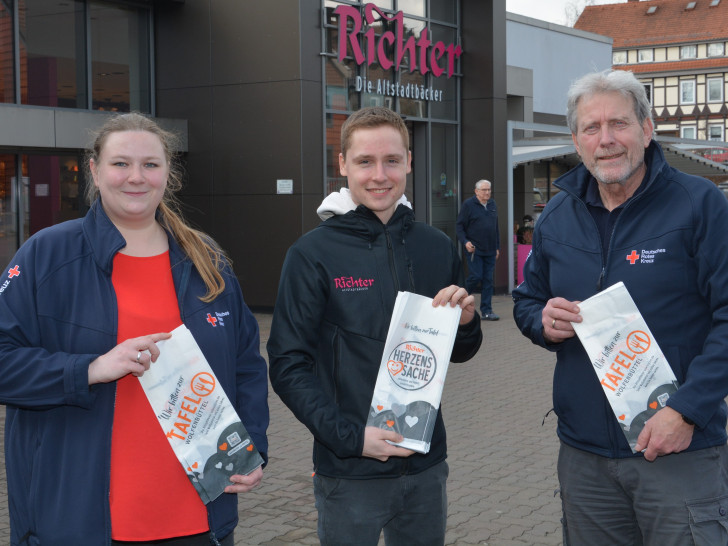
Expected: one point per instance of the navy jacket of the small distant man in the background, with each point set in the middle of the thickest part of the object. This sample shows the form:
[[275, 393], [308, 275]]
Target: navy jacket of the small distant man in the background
[[479, 225]]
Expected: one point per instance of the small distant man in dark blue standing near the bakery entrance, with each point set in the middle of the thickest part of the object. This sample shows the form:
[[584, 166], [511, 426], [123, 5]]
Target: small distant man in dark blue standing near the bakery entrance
[[477, 230]]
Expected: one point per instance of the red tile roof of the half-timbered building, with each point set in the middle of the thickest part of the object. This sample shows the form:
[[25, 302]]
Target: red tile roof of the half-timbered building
[[629, 25]]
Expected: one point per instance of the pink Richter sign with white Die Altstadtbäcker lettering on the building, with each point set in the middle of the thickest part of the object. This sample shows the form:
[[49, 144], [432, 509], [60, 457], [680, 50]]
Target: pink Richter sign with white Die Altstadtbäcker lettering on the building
[[424, 55]]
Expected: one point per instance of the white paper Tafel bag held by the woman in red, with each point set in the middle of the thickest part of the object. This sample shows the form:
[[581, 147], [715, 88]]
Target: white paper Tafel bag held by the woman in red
[[197, 417]]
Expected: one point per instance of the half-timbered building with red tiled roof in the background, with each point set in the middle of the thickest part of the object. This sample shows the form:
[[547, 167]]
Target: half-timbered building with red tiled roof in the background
[[678, 49]]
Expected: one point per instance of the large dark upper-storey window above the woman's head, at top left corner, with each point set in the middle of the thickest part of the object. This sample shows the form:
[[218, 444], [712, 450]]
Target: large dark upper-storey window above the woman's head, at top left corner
[[59, 41]]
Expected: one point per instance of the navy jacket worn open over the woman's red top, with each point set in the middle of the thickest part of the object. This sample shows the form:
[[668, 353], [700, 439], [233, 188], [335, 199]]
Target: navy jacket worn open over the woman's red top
[[57, 314]]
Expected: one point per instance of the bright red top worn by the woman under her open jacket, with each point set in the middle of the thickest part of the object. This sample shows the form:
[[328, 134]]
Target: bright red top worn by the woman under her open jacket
[[151, 497]]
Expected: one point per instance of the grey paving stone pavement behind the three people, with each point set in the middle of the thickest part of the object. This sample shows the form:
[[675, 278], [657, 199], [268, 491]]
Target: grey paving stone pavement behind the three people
[[502, 458]]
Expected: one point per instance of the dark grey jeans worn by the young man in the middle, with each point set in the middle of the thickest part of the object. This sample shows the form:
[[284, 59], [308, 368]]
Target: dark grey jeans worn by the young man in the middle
[[411, 509]]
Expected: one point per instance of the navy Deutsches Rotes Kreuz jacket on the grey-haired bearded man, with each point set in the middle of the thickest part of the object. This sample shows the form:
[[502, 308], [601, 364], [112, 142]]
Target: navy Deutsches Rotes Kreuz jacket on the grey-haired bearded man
[[677, 226]]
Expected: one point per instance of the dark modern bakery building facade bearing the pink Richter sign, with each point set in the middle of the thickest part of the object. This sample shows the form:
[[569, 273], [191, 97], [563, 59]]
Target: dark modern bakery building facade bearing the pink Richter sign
[[258, 91]]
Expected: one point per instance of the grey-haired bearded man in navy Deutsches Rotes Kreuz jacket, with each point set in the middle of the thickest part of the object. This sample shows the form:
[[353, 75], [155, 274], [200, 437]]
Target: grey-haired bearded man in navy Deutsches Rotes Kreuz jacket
[[625, 215]]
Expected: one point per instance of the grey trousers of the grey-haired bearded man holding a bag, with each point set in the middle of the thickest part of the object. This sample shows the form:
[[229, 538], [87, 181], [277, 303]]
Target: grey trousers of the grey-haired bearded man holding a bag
[[678, 500]]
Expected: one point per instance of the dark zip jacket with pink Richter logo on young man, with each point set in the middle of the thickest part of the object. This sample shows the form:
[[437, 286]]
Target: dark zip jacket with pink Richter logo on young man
[[335, 300]]
